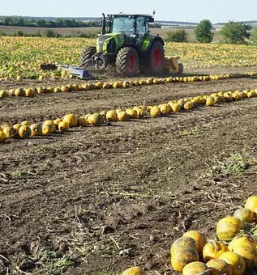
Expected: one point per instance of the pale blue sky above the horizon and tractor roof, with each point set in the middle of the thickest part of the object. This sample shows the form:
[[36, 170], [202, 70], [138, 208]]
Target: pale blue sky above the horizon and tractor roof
[[180, 10]]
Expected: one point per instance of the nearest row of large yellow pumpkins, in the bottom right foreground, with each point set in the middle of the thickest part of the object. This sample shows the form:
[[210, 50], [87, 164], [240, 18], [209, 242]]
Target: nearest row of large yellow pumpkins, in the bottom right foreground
[[232, 253]]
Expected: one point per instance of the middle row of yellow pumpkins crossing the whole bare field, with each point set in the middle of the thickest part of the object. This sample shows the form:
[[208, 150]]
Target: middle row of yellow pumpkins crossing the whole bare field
[[25, 129]]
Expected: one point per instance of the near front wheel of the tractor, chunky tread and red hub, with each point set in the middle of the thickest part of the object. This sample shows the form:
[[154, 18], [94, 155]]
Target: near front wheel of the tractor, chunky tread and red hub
[[127, 62]]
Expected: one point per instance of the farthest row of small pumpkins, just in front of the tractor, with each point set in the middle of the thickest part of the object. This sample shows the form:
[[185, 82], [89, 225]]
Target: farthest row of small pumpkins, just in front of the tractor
[[30, 92]]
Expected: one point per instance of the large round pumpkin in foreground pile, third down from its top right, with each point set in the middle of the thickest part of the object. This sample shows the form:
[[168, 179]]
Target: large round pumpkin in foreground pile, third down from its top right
[[228, 227]]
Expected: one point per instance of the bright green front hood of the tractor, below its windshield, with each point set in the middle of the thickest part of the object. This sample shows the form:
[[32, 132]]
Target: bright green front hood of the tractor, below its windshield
[[110, 43]]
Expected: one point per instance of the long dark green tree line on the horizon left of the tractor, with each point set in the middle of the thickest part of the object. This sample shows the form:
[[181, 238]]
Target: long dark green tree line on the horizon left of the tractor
[[58, 23]]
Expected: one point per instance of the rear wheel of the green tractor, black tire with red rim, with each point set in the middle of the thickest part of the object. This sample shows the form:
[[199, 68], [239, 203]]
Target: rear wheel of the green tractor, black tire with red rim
[[156, 58]]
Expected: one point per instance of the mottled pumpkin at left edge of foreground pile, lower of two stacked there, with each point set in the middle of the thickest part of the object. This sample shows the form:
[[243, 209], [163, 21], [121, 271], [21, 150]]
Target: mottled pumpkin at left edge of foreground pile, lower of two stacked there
[[183, 256]]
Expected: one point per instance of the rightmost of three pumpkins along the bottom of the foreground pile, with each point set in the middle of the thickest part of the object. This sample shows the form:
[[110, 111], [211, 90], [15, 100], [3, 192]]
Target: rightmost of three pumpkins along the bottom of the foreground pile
[[236, 262]]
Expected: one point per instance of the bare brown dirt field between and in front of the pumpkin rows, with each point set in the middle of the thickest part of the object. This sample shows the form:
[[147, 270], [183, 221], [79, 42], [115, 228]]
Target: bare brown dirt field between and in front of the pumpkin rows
[[97, 200]]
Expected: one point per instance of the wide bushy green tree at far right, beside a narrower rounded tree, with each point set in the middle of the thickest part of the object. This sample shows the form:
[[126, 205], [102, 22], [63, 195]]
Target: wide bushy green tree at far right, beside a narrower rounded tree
[[235, 32]]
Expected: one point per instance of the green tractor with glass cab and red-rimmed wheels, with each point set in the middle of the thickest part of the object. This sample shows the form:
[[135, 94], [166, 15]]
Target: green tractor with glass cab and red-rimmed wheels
[[125, 44]]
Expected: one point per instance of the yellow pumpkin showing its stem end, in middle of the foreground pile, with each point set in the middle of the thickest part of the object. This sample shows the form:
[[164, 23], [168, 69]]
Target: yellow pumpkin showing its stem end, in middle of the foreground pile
[[213, 249]]
